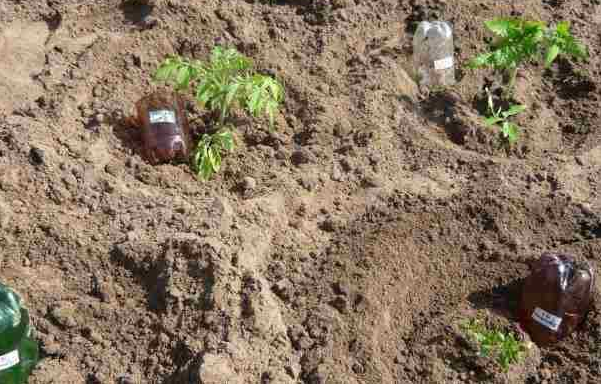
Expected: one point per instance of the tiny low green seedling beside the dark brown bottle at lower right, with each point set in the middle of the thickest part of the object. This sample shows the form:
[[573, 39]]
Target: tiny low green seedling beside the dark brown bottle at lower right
[[501, 346]]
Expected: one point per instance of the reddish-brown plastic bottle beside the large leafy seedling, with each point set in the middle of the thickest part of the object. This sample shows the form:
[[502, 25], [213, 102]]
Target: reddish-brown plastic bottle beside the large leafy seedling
[[165, 130]]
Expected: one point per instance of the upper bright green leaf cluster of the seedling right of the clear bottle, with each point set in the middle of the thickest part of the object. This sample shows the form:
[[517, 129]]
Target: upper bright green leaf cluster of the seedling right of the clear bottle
[[521, 40]]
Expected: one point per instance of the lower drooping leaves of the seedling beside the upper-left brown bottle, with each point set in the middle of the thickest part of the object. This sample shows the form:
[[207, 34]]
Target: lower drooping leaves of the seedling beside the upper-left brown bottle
[[206, 159]]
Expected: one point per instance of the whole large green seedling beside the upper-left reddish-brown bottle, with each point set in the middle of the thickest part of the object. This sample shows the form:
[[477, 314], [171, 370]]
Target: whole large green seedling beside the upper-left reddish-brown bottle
[[226, 82]]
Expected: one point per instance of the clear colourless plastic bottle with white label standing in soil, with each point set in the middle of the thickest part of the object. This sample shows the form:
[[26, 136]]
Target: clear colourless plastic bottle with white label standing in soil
[[433, 52]]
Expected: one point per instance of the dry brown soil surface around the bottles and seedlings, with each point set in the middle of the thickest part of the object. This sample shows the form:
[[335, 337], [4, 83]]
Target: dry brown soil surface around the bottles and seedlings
[[377, 218]]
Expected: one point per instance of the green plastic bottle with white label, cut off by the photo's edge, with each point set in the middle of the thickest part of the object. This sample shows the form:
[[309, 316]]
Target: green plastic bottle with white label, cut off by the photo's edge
[[18, 351]]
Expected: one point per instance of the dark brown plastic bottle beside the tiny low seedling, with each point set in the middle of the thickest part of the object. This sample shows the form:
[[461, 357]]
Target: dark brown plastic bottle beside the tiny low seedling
[[555, 297]]
